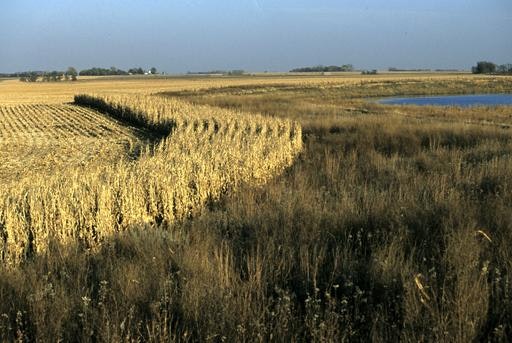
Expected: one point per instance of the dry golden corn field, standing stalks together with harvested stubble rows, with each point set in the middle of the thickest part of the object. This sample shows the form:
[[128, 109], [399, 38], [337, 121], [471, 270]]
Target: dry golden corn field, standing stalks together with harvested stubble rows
[[78, 176]]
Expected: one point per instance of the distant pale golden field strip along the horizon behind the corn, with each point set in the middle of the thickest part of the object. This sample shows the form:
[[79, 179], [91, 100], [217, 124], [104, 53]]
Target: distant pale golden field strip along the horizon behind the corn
[[14, 92]]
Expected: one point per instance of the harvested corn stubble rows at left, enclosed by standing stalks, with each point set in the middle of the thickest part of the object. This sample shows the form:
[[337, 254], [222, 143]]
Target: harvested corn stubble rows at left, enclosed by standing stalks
[[41, 139]]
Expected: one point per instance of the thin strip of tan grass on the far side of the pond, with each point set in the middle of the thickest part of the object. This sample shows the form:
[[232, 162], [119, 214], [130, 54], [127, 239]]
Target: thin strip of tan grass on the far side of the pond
[[358, 88]]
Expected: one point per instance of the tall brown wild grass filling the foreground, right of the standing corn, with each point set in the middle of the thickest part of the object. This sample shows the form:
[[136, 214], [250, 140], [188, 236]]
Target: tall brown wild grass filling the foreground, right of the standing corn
[[394, 223]]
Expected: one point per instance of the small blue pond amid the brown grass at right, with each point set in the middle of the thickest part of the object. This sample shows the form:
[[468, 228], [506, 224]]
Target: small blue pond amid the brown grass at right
[[453, 100]]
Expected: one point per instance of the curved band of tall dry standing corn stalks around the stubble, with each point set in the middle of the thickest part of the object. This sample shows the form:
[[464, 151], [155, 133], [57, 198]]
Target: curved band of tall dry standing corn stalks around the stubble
[[207, 153]]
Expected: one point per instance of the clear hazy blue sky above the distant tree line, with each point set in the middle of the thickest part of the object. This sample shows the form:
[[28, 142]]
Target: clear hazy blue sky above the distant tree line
[[255, 35]]
